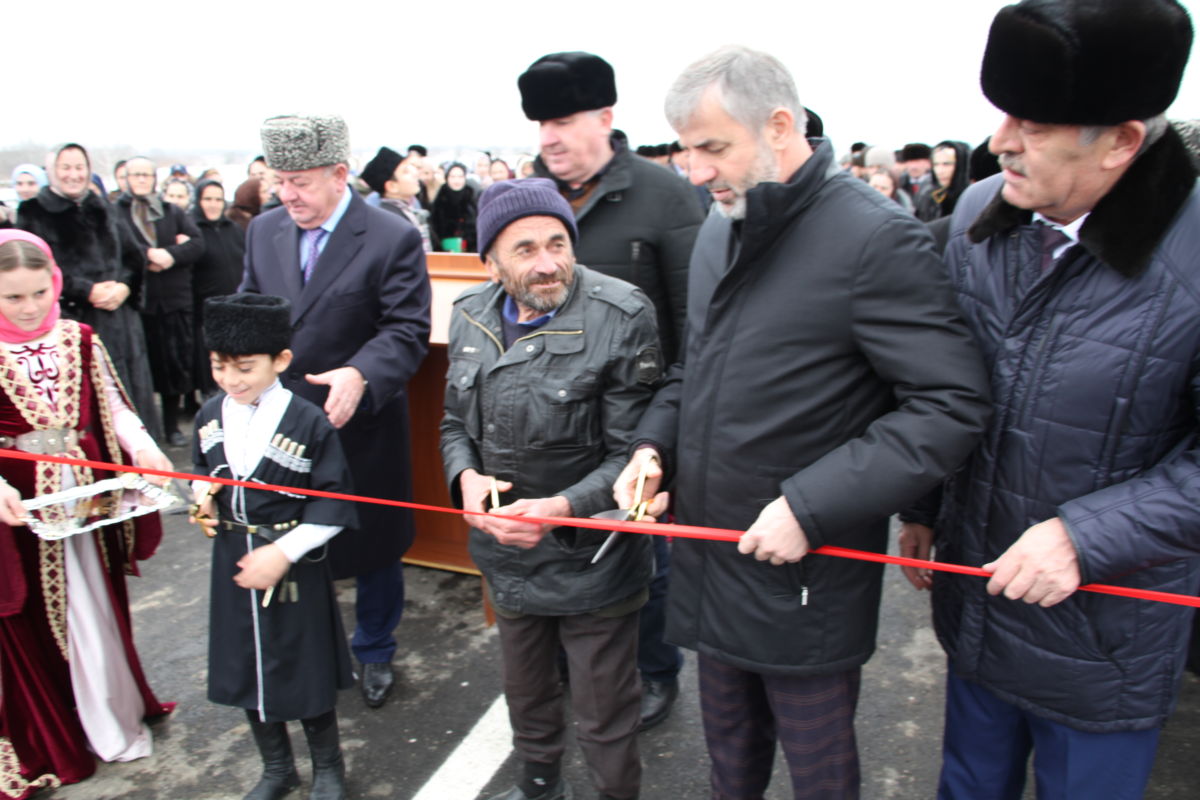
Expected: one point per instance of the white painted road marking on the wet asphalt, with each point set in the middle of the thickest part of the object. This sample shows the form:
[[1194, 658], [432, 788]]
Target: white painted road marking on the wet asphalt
[[476, 760]]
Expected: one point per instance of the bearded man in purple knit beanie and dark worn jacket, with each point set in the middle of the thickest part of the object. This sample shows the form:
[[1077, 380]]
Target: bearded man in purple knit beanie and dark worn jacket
[[551, 366]]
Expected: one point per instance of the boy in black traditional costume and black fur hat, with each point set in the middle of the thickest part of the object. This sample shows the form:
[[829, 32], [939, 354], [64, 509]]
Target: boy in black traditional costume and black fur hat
[[277, 645]]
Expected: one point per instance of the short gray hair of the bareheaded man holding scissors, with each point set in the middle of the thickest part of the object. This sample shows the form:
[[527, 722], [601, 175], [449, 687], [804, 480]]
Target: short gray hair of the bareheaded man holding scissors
[[751, 86]]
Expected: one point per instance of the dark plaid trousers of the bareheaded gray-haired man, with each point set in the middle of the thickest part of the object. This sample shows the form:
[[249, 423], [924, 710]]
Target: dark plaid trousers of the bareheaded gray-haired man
[[813, 719]]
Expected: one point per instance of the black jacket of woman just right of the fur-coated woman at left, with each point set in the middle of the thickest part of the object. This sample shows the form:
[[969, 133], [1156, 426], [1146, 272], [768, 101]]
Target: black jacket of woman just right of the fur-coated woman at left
[[170, 290]]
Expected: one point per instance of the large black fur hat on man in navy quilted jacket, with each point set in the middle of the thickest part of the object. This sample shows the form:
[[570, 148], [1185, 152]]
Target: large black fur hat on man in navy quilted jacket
[[1087, 62]]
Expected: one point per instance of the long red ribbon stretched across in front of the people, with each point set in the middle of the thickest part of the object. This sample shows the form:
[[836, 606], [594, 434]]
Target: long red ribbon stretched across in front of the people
[[657, 530]]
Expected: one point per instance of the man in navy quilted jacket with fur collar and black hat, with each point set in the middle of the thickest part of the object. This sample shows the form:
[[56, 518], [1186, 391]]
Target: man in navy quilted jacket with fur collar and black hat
[[1077, 272]]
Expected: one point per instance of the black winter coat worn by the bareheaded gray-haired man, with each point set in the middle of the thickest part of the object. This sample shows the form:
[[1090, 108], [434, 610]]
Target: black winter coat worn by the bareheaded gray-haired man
[[829, 365]]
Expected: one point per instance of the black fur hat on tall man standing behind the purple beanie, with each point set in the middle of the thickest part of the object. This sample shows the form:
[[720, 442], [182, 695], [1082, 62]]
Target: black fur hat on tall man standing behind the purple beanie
[[562, 85]]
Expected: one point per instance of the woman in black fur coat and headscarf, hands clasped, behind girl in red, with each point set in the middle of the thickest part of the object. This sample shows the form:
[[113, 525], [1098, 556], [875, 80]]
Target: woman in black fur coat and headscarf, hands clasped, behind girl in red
[[101, 266]]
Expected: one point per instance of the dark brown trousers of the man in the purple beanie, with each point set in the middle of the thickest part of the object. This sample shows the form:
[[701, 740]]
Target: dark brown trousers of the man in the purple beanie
[[602, 653]]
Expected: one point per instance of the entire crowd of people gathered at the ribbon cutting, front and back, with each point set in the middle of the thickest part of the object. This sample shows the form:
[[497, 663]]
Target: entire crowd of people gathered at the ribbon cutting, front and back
[[997, 344]]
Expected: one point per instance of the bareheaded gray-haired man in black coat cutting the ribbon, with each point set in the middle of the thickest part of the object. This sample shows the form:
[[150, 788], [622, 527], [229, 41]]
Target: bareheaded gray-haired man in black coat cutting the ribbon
[[827, 381]]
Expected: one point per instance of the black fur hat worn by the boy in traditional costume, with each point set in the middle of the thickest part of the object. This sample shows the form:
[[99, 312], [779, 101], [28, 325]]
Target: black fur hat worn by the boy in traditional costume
[[248, 324]]
